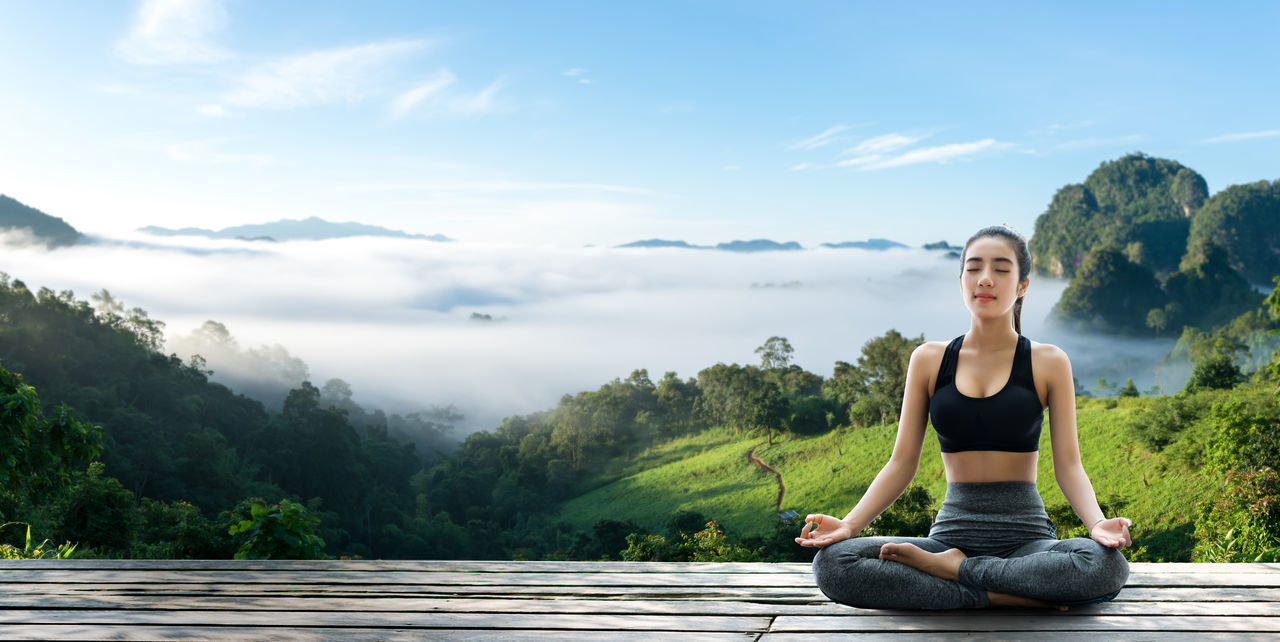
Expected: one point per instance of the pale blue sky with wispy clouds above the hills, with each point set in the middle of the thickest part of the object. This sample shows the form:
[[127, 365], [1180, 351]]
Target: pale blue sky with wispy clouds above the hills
[[601, 123]]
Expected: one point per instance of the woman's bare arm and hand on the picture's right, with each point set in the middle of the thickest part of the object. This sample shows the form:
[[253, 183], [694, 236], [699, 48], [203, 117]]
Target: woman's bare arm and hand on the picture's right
[[1068, 469]]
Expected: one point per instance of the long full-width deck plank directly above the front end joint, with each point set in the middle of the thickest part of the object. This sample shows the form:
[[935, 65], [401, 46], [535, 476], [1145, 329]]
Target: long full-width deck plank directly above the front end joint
[[584, 607]]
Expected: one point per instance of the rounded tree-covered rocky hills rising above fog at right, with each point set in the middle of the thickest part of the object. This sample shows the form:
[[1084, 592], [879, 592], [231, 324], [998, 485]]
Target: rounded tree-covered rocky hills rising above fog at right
[[1149, 253]]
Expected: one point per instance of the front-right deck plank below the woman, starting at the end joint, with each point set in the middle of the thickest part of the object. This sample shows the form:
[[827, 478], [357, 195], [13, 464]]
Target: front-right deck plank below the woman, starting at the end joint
[[1026, 623]]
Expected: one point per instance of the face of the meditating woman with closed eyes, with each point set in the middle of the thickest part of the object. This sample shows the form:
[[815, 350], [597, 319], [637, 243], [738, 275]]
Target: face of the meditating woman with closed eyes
[[990, 279]]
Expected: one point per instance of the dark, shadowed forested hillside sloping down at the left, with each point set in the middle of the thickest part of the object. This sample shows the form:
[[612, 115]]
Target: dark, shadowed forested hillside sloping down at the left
[[172, 437]]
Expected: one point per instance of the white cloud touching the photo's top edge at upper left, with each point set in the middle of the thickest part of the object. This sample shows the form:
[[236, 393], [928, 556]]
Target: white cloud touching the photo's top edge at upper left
[[176, 31]]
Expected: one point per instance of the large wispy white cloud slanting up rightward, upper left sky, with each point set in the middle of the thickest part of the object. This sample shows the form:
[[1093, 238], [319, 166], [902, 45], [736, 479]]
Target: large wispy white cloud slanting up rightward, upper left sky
[[330, 76]]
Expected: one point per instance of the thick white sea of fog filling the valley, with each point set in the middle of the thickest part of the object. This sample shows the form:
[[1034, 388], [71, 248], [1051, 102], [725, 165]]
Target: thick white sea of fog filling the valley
[[394, 318]]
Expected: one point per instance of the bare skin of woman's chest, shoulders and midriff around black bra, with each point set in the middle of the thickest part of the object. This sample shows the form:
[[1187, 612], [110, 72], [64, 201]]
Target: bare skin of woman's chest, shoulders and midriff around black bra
[[980, 377]]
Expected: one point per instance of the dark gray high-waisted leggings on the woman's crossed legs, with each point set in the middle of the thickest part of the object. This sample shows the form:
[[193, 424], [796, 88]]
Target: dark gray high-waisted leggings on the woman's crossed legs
[[1011, 543]]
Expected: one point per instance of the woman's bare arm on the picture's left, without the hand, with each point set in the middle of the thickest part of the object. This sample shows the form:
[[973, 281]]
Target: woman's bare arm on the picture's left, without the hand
[[900, 470]]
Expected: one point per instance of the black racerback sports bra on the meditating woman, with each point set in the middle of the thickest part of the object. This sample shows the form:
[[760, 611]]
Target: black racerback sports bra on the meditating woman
[[1009, 420]]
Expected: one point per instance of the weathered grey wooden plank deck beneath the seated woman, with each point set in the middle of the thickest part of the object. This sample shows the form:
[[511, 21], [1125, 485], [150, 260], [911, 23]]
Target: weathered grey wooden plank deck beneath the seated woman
[[579, 600]]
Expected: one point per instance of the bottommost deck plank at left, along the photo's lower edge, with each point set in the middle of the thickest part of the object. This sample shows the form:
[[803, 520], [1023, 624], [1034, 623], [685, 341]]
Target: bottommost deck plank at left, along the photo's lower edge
[[185, 632]]
